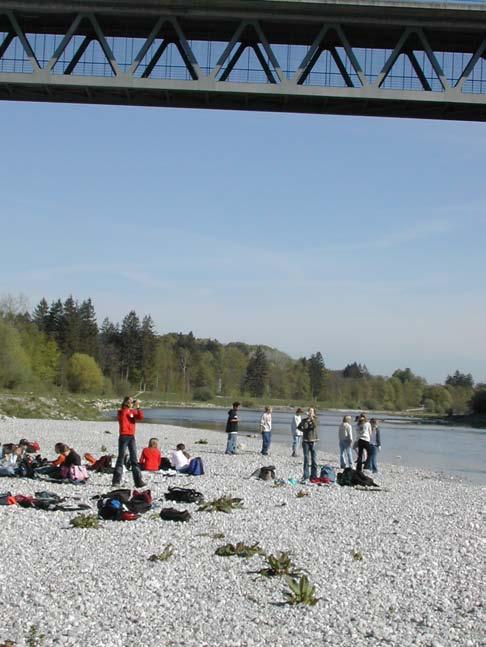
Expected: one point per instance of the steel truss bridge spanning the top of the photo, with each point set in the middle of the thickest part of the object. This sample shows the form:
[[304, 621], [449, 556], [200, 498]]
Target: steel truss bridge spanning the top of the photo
[[360, 57]]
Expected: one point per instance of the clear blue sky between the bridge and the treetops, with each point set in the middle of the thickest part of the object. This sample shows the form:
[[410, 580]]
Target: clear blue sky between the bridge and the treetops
[[362, 238]]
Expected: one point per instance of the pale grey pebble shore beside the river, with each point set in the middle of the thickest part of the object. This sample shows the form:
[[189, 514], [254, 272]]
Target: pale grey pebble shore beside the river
[[420, 580]]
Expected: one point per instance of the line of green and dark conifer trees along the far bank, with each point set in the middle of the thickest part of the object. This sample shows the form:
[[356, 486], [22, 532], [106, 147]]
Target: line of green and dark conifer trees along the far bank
[[61, 345]]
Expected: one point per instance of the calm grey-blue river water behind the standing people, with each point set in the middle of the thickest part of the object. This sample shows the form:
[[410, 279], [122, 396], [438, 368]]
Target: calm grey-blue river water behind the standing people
[[456, 451]]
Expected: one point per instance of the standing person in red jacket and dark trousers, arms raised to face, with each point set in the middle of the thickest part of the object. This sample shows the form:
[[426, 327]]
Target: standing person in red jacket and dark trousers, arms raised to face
[[127, 416]]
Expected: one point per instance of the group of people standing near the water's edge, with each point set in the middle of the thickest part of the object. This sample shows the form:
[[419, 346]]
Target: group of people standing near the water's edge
[[304, 431]]
